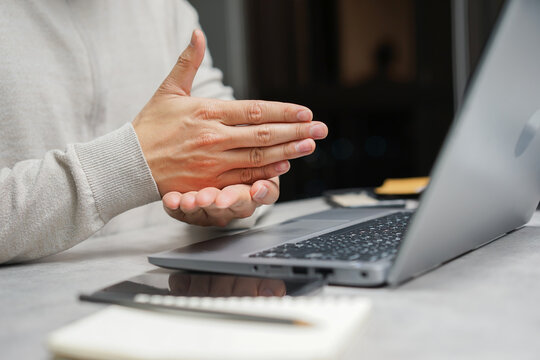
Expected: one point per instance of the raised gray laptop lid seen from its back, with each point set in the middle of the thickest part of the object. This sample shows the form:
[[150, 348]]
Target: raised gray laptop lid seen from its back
[[486, 181]]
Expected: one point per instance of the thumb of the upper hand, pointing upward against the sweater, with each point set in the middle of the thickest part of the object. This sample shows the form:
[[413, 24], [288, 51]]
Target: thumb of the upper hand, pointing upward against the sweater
[[181, 76]]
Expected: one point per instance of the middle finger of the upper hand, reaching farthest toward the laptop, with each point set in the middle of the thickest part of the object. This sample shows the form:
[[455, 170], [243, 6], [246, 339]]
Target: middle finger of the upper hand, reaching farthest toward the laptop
[[273, 134]]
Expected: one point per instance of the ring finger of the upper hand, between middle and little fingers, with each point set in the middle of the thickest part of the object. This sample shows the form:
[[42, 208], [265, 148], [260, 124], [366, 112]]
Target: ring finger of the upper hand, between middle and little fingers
[[257, 157]]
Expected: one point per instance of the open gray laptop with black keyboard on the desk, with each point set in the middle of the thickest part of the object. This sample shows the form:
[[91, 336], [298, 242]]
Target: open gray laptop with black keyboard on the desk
[[485, 183]]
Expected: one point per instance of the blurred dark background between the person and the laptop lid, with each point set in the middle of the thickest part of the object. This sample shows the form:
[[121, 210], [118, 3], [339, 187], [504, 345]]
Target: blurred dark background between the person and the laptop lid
[[386, 76]]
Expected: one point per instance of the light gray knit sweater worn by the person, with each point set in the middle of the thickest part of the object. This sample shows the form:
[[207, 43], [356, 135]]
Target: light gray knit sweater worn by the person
[[73, 75]]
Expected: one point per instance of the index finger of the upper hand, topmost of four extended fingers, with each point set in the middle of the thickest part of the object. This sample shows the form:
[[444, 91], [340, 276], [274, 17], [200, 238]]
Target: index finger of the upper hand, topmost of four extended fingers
[[241, 112]]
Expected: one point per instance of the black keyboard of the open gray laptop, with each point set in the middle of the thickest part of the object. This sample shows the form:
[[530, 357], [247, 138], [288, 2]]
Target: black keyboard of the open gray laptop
[[368, 241]]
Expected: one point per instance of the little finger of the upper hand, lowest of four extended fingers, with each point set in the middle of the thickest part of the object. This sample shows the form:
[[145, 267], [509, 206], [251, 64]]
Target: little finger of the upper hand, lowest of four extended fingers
[[250, 175]]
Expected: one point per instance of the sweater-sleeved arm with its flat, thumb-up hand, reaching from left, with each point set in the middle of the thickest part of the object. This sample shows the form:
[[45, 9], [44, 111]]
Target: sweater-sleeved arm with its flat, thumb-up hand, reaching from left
[[180, 142]]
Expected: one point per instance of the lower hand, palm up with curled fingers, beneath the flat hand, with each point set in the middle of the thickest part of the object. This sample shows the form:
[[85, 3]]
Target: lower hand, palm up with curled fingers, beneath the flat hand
[[214, 207]]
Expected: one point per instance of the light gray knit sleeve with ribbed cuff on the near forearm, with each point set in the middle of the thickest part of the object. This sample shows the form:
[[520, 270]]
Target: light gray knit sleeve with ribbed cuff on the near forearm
[[51, 204]]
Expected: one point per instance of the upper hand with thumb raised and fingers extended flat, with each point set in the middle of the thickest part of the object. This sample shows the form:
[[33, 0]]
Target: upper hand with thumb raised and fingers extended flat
[[193, 143]]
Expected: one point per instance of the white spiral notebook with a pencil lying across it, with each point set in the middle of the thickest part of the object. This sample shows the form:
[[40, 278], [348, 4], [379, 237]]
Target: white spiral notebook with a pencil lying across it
[[126, 333]]
